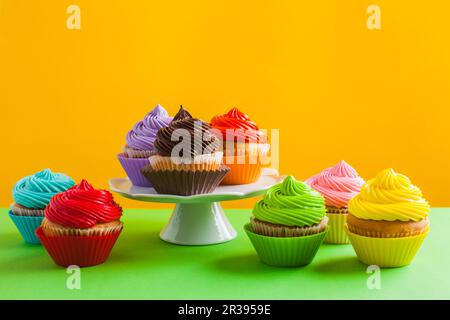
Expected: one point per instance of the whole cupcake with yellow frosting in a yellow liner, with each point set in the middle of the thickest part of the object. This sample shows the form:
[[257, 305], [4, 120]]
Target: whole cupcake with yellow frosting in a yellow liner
[[388, 220]]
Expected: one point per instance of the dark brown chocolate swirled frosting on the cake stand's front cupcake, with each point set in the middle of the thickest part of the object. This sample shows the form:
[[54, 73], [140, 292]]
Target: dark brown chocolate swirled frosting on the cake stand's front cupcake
[[194, 134]]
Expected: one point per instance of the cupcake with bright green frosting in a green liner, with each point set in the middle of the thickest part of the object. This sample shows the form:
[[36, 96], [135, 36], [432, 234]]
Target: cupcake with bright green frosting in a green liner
[[289, 224]]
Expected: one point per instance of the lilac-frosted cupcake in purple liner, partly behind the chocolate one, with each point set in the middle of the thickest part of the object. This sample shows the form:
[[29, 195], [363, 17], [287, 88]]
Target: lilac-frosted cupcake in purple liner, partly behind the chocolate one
[[139, 146]]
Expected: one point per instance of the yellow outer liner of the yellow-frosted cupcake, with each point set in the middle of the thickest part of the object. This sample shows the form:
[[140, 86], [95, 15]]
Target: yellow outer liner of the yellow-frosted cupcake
[[386, 252]]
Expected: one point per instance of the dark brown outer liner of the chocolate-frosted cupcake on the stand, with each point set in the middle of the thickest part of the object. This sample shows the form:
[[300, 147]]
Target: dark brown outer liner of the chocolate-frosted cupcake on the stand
[[185, 182]]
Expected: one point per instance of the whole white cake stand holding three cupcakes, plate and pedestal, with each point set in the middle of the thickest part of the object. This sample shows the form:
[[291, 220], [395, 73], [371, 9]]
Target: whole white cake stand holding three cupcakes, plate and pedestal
[[198, 219]]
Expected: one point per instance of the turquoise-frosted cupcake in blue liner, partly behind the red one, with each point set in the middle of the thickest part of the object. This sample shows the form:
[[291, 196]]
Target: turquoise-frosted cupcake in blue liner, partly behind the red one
[[31, 195]]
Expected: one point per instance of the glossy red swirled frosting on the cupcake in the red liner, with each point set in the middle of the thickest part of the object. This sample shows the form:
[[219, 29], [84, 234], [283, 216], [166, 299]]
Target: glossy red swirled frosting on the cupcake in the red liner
[[82, 206]]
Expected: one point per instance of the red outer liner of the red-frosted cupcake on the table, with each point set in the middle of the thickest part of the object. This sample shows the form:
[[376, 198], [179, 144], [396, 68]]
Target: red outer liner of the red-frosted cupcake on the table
[[82, 251]]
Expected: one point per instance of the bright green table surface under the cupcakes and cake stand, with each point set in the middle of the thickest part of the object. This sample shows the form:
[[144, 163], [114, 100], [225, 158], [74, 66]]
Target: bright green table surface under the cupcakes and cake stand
[[142, 266]]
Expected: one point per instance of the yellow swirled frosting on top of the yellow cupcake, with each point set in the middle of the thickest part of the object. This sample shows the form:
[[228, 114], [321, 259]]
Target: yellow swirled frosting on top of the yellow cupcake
[[389, 196]]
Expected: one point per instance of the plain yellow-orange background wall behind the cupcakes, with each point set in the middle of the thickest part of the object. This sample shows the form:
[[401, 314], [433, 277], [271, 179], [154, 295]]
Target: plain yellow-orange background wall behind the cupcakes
[[335, 89]]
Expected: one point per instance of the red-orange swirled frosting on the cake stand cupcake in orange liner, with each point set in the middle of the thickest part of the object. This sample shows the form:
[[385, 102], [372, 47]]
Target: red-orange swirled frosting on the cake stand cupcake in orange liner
[[236, 125]]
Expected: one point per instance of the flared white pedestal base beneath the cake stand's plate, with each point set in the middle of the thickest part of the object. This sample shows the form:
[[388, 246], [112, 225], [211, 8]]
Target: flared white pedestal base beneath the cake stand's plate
[[198, 224]]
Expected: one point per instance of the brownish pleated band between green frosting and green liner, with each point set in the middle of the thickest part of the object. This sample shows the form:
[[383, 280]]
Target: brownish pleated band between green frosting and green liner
[[273, 230]]
